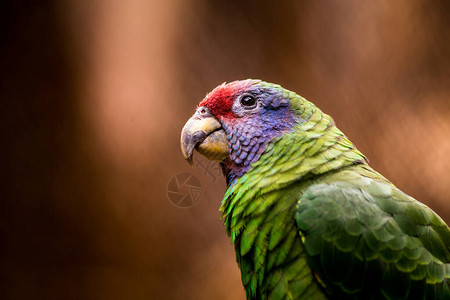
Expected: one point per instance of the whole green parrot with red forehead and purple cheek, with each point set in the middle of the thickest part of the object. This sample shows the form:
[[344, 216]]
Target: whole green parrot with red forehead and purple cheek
[[308, 217]]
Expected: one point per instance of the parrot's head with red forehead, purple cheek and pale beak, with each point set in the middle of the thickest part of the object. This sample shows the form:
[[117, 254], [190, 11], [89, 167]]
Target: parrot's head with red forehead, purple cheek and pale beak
[[235, 122]]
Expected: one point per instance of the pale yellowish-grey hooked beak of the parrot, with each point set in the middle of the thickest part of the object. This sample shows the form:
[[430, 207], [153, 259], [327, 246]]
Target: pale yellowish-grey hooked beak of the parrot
[[205, 134]]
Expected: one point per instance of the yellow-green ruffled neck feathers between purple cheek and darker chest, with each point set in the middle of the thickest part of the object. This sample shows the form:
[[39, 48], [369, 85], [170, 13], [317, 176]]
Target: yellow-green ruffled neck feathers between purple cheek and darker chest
[[312, 148]]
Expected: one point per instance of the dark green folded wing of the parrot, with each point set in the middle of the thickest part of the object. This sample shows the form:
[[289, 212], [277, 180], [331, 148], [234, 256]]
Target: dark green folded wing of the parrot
[[366, 238]]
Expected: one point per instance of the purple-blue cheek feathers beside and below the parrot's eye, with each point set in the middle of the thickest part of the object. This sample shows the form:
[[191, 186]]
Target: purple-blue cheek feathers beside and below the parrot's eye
[[249, 135]]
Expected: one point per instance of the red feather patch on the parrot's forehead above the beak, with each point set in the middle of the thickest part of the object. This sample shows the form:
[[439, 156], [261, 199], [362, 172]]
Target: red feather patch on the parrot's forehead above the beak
[[220, 100]]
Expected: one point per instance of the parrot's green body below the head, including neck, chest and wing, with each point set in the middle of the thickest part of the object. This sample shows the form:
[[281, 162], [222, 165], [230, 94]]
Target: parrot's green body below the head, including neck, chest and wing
[[311, 220]]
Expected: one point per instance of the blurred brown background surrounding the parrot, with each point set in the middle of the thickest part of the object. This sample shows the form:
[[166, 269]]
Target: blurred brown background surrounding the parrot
[[95, 93]]
